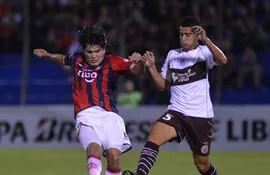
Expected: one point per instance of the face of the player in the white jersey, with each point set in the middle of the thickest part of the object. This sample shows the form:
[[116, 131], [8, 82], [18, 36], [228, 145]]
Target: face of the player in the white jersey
[[188, 38]]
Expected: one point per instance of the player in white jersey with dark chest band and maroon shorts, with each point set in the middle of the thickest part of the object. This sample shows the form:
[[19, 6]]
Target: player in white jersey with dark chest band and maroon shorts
[[190, 111]]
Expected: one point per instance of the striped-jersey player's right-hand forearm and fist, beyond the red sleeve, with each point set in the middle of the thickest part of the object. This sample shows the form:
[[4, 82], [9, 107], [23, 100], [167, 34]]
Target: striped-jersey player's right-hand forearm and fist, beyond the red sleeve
[[137, 66]]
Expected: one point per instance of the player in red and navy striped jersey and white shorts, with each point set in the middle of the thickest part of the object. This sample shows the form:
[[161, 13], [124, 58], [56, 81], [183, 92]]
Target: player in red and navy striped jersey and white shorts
[[99, 127]]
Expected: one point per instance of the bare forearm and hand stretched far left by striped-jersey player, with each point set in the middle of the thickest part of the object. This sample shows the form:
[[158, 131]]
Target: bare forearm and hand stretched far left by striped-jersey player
[[58, 58]]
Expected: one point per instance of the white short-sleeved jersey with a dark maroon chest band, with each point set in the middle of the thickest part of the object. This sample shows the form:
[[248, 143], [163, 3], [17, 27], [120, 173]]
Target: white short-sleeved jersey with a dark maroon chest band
[[187, 74]]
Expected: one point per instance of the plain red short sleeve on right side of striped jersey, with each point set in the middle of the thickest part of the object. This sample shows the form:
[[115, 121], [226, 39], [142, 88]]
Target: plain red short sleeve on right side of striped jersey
[[119, 64]]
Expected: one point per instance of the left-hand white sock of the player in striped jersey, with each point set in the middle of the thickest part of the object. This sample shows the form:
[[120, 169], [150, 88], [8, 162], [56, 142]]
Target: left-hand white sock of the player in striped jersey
[[94, 166]]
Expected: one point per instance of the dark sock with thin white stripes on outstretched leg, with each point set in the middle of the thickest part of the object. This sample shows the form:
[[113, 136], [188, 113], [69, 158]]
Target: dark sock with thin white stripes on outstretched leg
[[148, 158]]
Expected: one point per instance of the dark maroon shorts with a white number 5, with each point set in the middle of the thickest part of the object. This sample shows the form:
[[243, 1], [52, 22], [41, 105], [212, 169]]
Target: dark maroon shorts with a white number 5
[[197, 131]]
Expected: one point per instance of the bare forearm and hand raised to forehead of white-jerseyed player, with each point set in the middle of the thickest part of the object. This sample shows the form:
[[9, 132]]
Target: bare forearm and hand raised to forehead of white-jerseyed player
[[217, 53]]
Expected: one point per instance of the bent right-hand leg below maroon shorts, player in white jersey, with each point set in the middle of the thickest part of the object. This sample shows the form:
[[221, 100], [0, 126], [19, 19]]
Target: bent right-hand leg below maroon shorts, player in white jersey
[[203, 165]]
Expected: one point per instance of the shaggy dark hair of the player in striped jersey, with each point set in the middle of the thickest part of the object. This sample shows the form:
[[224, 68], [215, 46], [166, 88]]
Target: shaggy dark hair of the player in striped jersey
[[92, 35]]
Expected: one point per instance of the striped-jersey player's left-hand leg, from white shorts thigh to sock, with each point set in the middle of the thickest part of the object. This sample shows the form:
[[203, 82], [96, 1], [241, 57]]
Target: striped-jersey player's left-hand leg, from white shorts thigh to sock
[[91, 144]]
